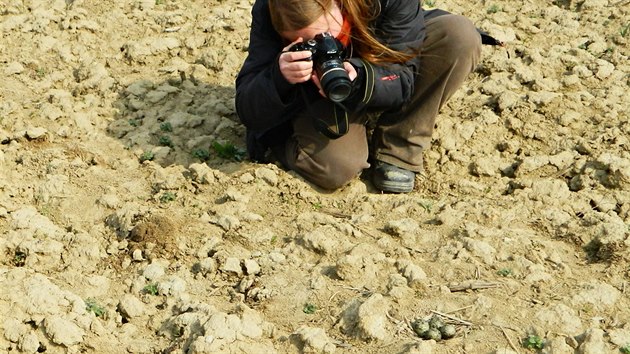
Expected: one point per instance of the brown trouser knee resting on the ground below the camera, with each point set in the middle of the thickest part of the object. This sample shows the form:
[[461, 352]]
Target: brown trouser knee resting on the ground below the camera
[[328, 163]]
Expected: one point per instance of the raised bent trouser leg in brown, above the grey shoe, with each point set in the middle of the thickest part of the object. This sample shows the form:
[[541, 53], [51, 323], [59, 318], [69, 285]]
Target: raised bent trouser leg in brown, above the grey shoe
[[450, 52]]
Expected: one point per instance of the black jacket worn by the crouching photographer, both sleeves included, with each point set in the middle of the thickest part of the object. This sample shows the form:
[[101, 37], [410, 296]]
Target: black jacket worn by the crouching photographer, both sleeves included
[[264, 99]]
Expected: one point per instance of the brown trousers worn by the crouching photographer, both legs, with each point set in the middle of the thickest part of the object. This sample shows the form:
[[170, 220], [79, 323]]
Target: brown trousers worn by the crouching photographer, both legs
[[451, 51]]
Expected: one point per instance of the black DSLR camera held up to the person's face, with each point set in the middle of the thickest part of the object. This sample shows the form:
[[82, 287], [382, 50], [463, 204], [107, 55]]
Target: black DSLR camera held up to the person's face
[[327, 56]]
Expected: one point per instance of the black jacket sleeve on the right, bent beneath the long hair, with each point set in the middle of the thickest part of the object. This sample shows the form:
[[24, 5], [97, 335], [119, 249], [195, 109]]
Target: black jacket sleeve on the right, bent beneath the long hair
[[400, 26]]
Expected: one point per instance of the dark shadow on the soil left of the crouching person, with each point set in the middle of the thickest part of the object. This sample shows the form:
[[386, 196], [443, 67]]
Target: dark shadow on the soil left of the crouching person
[[180, 121]]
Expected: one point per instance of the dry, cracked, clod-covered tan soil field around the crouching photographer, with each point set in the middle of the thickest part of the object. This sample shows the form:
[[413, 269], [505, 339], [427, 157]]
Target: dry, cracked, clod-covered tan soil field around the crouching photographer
[[130, 224]]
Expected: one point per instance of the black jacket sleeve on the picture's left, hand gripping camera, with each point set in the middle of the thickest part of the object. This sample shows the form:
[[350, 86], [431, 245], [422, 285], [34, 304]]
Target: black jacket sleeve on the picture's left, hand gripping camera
[[262, 93]]
